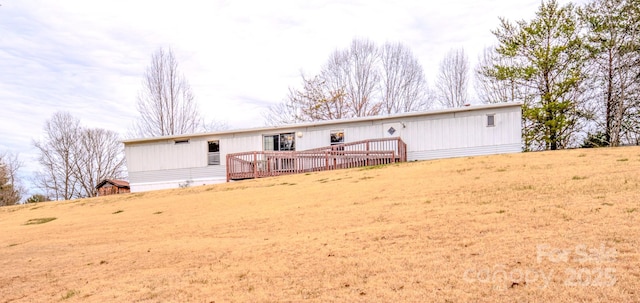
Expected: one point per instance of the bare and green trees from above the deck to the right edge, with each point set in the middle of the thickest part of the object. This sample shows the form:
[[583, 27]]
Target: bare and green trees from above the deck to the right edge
[[576, 69]]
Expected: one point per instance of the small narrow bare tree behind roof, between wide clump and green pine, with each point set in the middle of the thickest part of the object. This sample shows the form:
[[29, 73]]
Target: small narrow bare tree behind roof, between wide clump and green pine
[[453, 78]]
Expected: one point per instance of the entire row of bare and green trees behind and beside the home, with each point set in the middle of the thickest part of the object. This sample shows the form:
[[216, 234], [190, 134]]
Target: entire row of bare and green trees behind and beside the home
[[576, 69]]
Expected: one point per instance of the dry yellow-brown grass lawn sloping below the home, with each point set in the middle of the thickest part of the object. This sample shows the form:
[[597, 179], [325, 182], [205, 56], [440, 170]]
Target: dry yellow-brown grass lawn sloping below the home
[[534, 227]]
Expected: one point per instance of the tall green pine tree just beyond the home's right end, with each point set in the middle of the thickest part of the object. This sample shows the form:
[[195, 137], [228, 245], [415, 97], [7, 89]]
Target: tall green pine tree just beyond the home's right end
[[545, 56]]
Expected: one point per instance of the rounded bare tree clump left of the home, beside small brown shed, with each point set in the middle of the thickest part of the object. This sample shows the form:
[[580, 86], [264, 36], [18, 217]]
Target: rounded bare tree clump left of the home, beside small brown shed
[[75, 159]]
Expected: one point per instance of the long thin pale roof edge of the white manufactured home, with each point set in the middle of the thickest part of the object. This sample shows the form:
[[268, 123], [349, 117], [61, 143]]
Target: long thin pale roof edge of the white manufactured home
[[329, 122]]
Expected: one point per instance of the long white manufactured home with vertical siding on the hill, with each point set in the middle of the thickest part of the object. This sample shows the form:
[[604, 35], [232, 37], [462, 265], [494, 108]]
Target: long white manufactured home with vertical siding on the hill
[[197, 159]]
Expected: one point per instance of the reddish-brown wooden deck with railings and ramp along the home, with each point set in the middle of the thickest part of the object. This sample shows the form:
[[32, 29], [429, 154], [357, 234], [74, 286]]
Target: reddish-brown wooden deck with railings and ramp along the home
[[260, 164]]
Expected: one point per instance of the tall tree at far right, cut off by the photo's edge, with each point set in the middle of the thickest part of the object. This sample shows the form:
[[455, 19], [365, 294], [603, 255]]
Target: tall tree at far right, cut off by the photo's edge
[[613, 35]]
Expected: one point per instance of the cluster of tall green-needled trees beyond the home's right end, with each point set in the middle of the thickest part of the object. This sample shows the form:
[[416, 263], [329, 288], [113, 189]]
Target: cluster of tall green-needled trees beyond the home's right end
[[576, 69]]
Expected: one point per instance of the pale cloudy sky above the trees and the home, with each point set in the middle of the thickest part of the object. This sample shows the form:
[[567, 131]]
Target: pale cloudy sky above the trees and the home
[[88, 57]]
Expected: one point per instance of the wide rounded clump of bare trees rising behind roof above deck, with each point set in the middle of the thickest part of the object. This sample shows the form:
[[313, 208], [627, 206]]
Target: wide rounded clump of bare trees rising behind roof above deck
[[363, 80]]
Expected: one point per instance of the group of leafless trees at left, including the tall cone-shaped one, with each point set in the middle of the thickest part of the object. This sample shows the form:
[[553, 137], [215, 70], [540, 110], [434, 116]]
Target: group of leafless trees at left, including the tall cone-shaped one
[[74, 159]]
